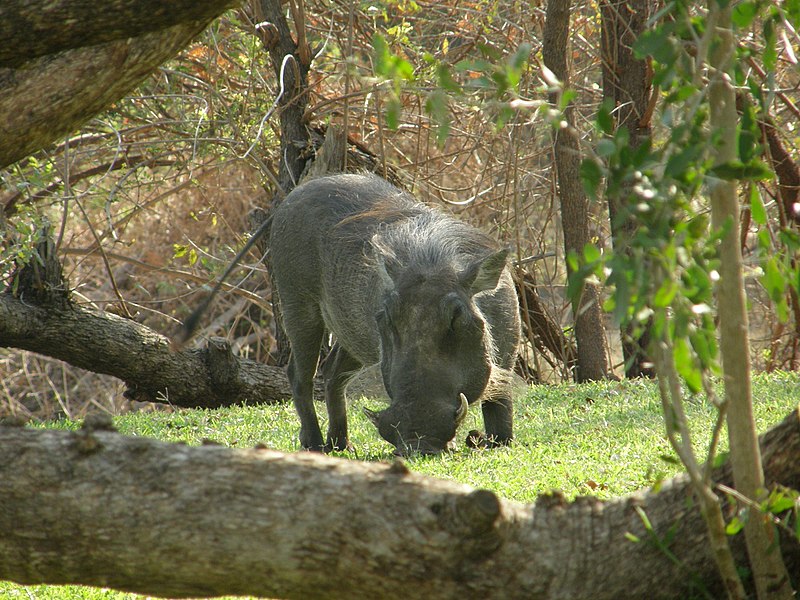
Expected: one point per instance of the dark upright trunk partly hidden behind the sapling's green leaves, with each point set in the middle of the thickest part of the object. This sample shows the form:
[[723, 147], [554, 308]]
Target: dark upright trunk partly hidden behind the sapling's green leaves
[[627, 88]]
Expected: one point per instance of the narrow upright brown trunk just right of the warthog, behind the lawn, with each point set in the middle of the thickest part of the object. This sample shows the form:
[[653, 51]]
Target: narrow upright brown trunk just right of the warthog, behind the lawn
[[589, 332]]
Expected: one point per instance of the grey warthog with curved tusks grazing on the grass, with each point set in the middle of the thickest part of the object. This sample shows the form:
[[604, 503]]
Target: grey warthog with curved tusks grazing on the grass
[[397, 283]]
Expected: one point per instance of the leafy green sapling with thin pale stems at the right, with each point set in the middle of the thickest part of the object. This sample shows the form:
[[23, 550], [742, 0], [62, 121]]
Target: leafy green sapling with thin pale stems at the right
[[679, 273]]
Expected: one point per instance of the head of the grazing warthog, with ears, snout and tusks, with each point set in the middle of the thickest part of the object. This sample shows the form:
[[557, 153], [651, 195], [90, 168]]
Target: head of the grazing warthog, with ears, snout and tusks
[[436, 347]]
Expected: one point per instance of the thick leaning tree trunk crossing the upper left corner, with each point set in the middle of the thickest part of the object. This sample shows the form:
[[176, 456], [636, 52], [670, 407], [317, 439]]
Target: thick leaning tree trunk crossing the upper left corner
[[46, 96]]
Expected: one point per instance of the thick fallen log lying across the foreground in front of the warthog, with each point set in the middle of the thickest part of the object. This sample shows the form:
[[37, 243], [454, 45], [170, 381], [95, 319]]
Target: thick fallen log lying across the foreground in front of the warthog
[[97, 508]]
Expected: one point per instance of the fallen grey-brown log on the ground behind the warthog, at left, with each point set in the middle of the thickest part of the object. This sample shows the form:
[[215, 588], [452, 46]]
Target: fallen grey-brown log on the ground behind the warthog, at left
[[103, 342]]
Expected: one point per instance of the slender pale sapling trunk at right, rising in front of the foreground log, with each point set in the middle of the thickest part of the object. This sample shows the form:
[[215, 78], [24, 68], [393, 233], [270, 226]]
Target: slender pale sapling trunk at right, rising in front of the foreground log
[[768, 569]]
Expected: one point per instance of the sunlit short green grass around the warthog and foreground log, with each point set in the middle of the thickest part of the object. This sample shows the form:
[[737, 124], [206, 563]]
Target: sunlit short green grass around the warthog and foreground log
[[604, 439]]
